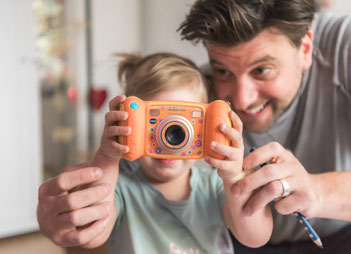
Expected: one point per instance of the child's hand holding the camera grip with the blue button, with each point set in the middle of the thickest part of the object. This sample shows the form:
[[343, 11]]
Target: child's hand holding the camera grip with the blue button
[[109, 146]]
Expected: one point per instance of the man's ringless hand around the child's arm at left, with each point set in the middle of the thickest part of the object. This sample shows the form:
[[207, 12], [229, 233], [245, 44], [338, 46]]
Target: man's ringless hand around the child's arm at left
[[70, 214]]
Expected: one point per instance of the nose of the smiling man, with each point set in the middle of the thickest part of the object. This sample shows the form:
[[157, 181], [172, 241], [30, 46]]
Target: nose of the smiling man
[[244, 94]]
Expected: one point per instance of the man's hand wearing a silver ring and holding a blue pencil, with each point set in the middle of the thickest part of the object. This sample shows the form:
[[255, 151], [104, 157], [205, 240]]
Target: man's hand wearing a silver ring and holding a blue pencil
[[304, 190]]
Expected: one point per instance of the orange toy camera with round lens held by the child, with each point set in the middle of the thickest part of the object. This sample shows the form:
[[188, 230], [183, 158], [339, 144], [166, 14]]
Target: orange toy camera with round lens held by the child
[[173, 129]]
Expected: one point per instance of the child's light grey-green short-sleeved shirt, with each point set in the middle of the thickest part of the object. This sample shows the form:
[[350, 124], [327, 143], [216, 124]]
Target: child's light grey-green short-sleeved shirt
[[149, 223]]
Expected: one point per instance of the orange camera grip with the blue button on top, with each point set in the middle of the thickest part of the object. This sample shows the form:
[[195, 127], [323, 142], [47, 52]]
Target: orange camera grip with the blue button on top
[[136, 109]]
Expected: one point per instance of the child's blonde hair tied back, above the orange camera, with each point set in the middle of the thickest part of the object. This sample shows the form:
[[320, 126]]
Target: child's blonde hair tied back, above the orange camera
[[146, 76]]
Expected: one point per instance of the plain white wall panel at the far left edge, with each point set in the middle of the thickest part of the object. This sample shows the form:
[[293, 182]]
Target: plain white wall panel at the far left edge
[[20, 130]]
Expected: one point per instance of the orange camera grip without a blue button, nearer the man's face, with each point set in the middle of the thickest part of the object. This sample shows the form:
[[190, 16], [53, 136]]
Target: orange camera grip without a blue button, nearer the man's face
[[216, 114]]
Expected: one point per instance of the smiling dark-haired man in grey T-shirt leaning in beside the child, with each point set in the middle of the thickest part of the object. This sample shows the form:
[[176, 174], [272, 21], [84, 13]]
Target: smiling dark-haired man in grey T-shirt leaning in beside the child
[[289, 80]]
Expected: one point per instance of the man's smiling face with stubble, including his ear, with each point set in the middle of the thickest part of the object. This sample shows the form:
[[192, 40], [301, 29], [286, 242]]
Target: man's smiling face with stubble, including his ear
[[260, 77]]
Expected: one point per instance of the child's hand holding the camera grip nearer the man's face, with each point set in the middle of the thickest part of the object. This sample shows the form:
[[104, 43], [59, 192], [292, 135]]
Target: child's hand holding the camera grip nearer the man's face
[[230, 169]]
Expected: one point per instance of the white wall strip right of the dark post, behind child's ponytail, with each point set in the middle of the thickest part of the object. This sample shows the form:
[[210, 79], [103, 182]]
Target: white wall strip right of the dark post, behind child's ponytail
[[116, 28]]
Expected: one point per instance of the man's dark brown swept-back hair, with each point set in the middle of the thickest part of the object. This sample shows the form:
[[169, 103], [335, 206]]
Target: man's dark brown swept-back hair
[[230, 22]]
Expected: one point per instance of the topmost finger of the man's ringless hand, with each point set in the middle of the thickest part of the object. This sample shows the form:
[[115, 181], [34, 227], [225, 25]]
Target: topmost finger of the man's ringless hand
[[69, 180]]
